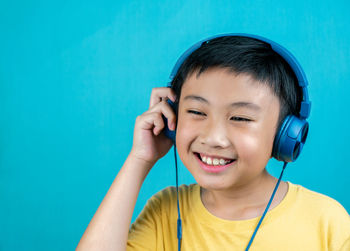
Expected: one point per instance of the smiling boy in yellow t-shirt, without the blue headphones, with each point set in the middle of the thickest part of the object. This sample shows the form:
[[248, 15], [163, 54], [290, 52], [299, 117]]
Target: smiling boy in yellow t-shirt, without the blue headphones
[[232, 95]]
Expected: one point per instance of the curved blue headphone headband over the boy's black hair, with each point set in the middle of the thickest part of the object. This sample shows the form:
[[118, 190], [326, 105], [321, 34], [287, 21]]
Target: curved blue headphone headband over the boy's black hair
[[305, 106]]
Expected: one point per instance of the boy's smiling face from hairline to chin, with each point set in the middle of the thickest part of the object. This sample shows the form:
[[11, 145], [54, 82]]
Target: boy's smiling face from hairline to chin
[[220, 131]]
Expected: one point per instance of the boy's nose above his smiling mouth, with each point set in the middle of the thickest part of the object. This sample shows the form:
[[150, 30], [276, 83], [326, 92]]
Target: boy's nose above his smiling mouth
[[215, 135]]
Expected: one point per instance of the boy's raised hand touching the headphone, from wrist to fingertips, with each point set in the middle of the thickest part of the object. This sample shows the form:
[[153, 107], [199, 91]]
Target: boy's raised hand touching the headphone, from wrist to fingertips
[[149, 143]]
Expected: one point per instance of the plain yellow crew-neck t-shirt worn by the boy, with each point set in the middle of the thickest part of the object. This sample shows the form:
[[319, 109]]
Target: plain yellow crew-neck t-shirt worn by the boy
[[304, 220]]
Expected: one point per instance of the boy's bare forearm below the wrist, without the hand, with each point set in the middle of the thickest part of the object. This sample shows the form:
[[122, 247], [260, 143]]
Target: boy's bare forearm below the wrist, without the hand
[[108, 229]]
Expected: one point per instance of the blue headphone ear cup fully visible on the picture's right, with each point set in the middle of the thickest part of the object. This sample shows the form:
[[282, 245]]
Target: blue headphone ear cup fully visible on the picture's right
[[290, 139]]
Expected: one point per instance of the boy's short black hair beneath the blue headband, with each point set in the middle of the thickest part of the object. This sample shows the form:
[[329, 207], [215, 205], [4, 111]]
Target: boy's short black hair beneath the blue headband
[[247, 55]]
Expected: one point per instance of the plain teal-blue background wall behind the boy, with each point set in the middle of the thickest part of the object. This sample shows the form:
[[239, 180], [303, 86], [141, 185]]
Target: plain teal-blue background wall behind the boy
[[75, 74]]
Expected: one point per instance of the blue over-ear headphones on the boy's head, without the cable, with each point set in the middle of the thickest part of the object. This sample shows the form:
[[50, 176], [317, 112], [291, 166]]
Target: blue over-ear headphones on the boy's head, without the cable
[[291, 136]]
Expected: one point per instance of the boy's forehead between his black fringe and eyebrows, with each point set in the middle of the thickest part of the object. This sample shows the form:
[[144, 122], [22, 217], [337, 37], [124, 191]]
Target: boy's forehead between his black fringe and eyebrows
[[220, 87]]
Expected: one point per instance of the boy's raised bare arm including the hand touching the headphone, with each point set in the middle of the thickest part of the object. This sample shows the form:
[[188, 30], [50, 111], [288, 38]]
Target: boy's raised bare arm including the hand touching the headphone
[[108, 229]]
